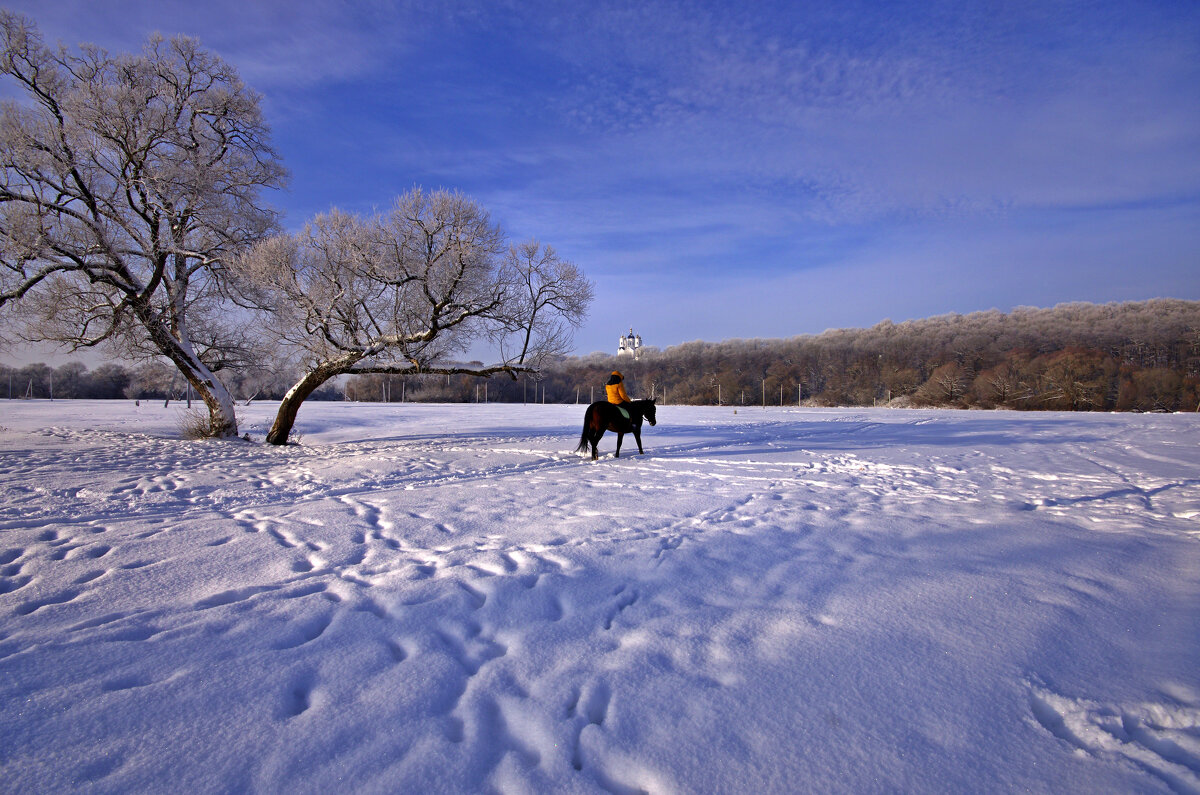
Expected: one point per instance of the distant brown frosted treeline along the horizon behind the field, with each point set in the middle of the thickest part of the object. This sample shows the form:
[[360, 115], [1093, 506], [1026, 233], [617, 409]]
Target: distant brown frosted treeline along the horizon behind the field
[[1079, 357]]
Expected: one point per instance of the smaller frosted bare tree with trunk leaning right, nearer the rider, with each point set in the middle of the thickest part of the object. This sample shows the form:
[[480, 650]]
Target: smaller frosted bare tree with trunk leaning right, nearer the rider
[[403, 294]]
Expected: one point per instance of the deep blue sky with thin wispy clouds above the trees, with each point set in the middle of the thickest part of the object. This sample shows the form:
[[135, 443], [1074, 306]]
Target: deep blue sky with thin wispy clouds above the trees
[[740, 170]]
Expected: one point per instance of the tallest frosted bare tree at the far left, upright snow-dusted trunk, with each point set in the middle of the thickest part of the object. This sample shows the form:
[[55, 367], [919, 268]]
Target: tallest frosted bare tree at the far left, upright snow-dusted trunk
[[128, 183]]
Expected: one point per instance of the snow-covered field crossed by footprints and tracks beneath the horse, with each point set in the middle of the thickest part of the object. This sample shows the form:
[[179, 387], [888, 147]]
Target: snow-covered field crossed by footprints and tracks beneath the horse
[[448, 599]]
